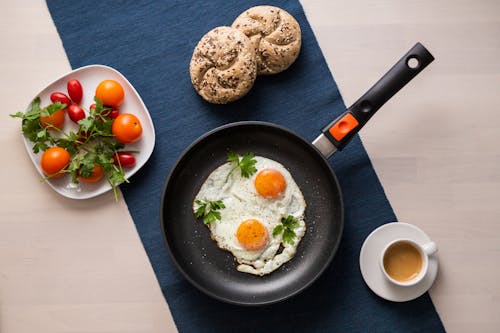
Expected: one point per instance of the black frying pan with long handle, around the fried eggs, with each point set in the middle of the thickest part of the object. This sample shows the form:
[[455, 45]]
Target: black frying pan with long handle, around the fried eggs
[[213, 270]]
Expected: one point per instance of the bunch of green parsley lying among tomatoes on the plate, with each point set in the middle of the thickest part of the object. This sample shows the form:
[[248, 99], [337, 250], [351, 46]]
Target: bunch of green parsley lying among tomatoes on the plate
[[93, 143]]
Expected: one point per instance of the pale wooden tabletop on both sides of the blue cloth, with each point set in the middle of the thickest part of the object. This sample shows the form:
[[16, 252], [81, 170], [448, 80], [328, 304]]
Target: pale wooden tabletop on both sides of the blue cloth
[[79, 266]]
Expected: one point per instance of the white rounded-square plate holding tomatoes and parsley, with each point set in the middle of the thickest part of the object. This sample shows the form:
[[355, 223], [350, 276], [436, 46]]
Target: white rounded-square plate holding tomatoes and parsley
[[90, 76]]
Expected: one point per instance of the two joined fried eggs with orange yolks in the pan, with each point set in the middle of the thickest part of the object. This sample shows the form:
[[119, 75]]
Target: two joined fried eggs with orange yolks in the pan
[[253, 208]]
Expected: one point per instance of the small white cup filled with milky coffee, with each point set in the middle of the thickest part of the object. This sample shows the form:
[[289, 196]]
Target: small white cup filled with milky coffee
[[405, 262]]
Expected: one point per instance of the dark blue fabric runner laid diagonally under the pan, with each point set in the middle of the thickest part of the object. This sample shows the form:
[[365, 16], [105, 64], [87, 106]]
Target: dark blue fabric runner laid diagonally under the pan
[[151, 43]]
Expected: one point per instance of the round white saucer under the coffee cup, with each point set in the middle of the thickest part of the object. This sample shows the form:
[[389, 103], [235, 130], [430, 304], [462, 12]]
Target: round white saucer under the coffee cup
[[370, 267]]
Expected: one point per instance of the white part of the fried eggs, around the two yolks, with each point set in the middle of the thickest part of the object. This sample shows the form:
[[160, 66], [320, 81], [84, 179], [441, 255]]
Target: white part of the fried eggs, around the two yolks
[[242, 203]]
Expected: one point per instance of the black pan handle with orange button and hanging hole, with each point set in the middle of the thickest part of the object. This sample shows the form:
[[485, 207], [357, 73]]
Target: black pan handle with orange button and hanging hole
[[342, 130]]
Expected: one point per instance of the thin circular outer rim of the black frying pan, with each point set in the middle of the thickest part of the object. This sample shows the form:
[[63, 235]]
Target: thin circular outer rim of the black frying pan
[[226, 299]]
